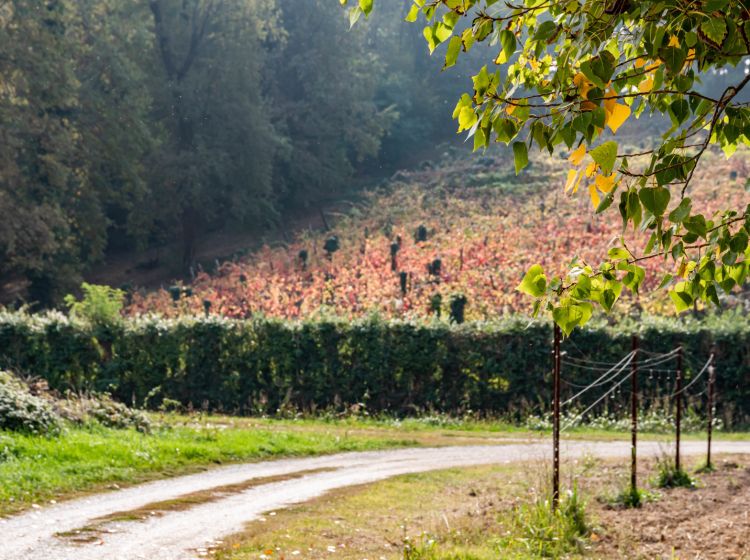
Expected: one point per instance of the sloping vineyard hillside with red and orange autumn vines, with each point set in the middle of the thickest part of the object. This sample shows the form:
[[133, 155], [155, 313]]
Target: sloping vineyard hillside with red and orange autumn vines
[[482, 227]]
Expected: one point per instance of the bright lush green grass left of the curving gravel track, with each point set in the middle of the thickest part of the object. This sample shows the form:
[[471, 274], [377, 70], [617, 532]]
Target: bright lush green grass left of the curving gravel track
[[37, 469]]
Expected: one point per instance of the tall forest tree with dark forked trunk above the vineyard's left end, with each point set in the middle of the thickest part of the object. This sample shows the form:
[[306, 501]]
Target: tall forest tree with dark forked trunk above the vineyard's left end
[[219, 156]]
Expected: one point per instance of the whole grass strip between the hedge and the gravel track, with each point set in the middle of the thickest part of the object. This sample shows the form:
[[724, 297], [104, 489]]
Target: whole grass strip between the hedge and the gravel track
[[41, 469]]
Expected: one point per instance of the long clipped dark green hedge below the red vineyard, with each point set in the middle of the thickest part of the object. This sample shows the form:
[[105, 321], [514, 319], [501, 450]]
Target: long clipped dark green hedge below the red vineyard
[[262, 365]]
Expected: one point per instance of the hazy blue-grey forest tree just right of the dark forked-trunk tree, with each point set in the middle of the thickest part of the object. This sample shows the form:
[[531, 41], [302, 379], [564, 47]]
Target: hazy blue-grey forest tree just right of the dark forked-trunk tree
[[324, 84]]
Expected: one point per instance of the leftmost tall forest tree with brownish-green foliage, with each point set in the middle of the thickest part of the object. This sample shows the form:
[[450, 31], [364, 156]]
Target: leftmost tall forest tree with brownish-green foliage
[[43, 196]]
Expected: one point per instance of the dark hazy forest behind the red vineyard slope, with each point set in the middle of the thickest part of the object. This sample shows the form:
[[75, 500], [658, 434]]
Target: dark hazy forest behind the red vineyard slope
[[131, 124]]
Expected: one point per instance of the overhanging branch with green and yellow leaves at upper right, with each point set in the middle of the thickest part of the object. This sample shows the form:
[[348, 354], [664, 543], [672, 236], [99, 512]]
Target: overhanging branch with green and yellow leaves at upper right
[[566, 76]]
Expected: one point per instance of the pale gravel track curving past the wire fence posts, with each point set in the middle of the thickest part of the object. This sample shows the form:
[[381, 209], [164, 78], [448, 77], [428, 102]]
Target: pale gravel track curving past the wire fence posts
[[181, 535]]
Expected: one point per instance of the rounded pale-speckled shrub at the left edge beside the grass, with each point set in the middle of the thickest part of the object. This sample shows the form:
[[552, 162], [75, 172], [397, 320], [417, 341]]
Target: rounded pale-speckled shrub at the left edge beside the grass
[[20, 411]]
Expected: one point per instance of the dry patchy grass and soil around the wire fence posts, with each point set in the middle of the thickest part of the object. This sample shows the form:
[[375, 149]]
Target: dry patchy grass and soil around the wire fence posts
[[489, 512]]
